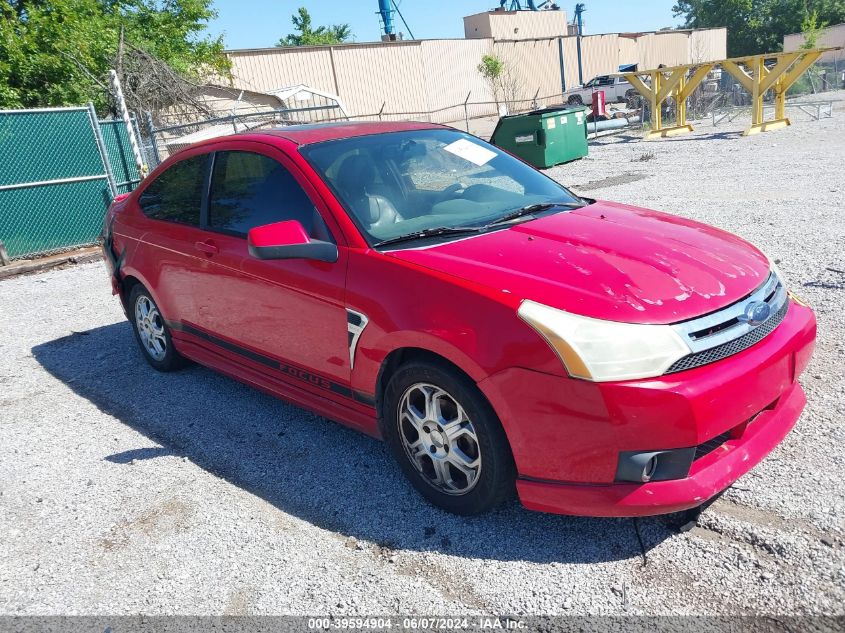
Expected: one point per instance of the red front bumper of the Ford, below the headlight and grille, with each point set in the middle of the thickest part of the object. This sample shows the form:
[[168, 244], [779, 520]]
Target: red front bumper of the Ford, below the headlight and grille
[[566, 434]]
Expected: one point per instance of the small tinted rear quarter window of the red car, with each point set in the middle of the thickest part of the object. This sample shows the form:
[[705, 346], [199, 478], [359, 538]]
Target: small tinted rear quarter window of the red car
[[176, 194]]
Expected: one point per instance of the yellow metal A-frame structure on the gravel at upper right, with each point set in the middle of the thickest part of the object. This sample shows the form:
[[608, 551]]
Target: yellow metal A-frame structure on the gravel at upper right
[[751, 72]]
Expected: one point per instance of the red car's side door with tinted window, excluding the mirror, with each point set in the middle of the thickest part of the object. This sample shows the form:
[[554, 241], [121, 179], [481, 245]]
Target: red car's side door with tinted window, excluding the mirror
[[286, 317]]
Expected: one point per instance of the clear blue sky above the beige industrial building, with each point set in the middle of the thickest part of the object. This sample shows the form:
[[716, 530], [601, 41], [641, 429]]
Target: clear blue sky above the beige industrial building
[[261, 23]]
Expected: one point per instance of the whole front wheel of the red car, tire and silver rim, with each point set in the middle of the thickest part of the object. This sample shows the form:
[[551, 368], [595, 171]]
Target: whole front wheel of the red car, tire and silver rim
[[447, 439]]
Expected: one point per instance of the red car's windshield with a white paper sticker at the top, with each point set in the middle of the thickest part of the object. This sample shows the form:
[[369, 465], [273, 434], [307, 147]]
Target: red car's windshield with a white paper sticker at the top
[[402, 183]]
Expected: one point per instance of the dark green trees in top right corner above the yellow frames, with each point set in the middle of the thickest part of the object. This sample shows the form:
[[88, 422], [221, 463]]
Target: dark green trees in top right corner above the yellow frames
[[757, 26]]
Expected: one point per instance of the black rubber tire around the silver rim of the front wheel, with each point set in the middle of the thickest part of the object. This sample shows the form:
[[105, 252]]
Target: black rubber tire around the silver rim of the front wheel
[[494, 483]]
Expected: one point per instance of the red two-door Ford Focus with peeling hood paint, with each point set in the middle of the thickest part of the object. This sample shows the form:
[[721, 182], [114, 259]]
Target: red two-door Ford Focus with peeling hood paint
[[501, 333]]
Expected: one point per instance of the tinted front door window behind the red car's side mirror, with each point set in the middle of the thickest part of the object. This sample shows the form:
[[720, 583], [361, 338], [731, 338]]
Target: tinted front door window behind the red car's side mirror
[[249, 190]]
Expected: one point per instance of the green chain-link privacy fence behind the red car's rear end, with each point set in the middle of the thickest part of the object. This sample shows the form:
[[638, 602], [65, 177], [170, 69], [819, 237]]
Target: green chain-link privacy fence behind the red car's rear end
[[59, 170]]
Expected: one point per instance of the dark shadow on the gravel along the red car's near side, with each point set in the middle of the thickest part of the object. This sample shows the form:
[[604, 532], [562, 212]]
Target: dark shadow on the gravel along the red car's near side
[[334, 477]]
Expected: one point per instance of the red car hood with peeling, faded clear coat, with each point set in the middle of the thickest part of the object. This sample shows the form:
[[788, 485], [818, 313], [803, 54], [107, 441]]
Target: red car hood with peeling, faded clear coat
[[607, 261]]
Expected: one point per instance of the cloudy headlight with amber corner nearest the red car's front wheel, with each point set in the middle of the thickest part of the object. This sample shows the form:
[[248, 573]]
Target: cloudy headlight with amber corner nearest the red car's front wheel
[[598, 350]]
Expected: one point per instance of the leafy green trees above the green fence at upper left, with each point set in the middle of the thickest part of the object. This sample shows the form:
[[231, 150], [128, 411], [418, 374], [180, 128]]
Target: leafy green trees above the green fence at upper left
[[58, 52]]
